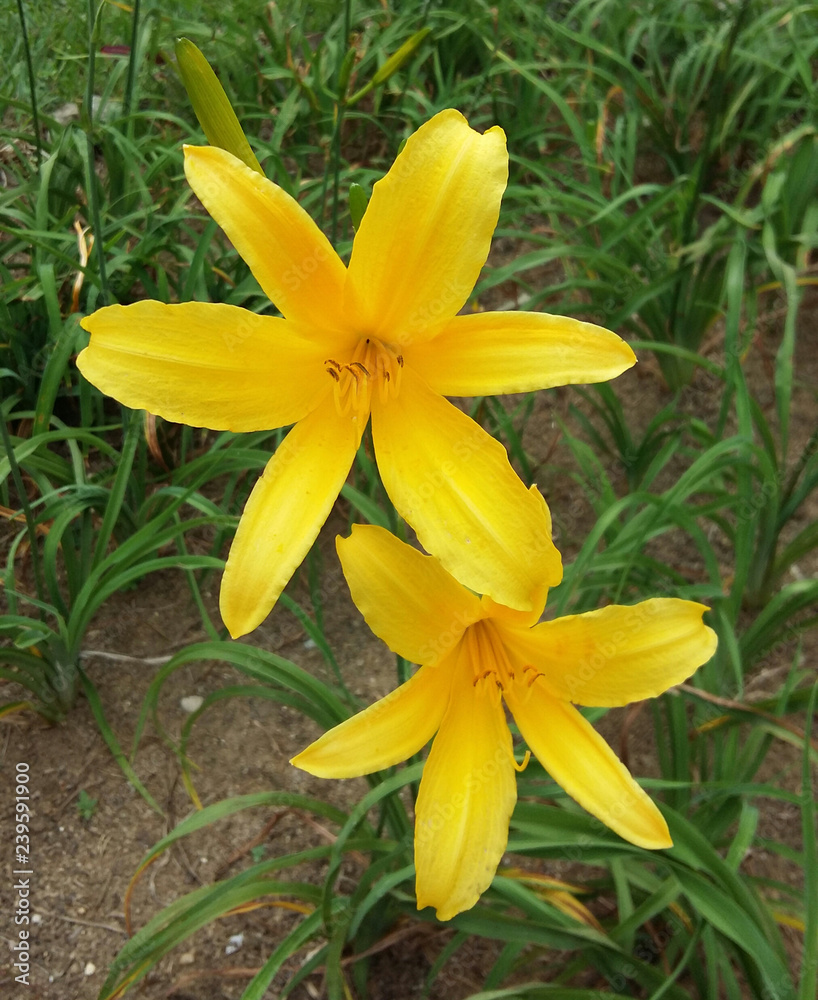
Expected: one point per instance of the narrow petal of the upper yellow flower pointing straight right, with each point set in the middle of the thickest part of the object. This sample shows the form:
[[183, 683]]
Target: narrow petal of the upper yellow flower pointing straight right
[[484, 354]]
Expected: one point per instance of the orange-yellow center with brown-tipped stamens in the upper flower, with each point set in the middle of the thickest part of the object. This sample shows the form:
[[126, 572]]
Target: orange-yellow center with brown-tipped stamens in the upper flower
[[372, 365]]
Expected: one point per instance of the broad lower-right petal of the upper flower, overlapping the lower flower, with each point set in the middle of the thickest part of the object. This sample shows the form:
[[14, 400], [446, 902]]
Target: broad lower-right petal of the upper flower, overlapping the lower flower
[[453, 483]]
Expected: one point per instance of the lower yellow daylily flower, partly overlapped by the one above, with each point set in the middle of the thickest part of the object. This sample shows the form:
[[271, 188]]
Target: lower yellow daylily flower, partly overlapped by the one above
[[477, 655]]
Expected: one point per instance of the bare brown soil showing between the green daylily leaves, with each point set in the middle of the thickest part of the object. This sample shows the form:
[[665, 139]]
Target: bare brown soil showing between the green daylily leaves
[[83, 856]]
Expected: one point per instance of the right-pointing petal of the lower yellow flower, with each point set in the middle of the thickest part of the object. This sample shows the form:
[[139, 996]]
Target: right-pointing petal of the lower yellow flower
[[617, 655]]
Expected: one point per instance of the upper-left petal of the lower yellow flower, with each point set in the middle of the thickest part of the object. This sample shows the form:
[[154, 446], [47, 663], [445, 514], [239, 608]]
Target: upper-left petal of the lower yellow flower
[[407, 599]]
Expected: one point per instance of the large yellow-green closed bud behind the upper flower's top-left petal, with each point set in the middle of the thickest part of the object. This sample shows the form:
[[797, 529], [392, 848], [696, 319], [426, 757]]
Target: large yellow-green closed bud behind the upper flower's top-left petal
[[211, 104]]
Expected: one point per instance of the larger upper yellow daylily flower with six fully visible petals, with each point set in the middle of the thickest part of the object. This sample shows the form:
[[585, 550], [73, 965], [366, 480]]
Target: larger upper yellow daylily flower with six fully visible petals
[[381, 337]]
